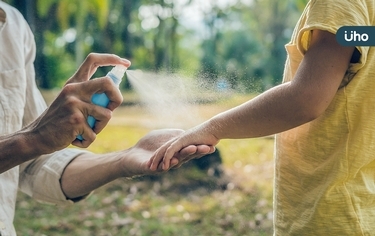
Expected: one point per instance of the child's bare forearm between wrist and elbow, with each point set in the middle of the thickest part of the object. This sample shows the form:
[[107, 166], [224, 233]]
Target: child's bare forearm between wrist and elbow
[[274, 111]]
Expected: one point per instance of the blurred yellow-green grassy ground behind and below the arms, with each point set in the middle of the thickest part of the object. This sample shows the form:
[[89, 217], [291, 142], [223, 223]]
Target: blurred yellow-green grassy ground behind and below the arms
[[186, 201]]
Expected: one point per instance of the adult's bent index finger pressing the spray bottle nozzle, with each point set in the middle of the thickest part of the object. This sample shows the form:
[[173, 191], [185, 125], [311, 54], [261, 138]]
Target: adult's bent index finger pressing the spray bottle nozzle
[[95, 60]]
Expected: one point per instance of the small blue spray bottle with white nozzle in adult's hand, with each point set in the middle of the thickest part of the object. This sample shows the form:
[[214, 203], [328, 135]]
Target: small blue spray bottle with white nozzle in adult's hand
[[101, 99]]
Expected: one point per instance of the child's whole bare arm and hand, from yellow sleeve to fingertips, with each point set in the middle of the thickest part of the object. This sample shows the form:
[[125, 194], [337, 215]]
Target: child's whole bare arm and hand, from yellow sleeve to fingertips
[[279, 109]]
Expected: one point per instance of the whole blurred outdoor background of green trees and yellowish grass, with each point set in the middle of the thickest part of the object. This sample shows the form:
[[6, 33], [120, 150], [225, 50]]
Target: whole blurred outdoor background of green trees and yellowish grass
[[234, 47]]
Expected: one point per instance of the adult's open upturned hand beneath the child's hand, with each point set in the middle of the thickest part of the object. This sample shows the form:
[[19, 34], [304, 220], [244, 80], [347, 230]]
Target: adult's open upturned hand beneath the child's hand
[[135, 162]]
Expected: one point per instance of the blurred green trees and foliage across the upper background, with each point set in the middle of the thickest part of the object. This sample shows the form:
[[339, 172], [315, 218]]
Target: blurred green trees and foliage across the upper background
[[240, 43]]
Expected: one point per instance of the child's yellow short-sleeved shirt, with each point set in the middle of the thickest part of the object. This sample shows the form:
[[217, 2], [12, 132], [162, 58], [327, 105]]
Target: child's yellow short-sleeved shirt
[[325, 169]]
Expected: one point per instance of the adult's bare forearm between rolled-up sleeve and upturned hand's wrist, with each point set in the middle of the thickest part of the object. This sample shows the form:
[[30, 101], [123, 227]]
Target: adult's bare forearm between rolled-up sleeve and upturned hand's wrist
[[88, 172]]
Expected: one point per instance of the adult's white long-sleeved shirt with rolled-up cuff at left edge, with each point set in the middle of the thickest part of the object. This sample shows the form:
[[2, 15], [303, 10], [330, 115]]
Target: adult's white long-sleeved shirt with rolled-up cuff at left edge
[[20, 104]]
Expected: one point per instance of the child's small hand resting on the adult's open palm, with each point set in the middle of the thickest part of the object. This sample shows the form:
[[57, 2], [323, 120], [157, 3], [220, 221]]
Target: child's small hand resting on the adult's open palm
[[164, 157]]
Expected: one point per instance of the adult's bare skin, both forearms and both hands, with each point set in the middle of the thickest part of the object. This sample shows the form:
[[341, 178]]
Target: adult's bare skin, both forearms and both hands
[[66, 117]]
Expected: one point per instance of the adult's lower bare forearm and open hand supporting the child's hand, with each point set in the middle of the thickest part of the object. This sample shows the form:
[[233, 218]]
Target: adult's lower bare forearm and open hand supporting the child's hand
[[90, 171]]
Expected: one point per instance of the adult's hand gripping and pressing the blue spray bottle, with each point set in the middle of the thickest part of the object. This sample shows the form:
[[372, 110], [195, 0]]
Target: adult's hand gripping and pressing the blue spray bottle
[[66, 117]]
